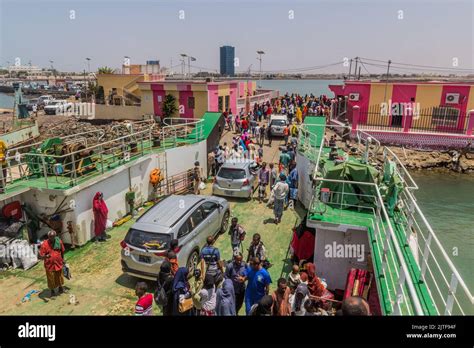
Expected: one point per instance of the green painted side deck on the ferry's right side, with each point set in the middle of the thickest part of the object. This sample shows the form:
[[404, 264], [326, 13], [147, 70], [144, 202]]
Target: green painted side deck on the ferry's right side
[[366, 218]]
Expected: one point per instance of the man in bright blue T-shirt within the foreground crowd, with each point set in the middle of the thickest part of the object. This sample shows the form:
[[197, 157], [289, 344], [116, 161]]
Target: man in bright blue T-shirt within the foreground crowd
[[258, 283]]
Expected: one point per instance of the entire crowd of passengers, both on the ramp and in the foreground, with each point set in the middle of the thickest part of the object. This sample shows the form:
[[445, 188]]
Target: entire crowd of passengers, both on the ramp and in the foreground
[[216, 288]]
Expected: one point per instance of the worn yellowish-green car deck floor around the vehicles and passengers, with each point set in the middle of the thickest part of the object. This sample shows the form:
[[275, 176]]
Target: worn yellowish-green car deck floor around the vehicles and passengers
[[98, 286]]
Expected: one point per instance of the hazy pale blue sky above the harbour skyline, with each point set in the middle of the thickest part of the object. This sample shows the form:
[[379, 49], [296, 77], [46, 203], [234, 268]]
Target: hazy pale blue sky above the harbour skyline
[[293, 34]]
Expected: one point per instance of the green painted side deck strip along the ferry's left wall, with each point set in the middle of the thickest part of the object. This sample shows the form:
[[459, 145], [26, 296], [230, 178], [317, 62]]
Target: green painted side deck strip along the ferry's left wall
[[111, 162]]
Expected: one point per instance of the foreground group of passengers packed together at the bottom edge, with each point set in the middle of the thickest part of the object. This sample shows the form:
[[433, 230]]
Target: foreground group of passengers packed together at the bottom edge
[[217, 288]]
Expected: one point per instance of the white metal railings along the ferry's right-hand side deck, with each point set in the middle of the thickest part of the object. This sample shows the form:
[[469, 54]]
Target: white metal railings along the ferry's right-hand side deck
[[438, 272]]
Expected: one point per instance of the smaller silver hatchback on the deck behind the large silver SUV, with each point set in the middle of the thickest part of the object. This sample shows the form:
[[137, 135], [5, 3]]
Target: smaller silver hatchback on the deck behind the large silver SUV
[[236, 178]]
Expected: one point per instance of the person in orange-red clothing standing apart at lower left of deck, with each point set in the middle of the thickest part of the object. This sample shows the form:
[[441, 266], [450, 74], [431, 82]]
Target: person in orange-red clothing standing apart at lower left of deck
[[52, 252]]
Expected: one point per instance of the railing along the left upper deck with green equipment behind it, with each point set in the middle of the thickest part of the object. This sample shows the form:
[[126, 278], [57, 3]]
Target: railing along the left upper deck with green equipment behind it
[[82, 156]]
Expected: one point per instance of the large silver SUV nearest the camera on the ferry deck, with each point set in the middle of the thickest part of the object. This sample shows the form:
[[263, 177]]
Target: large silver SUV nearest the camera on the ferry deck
[[189, 218]]
